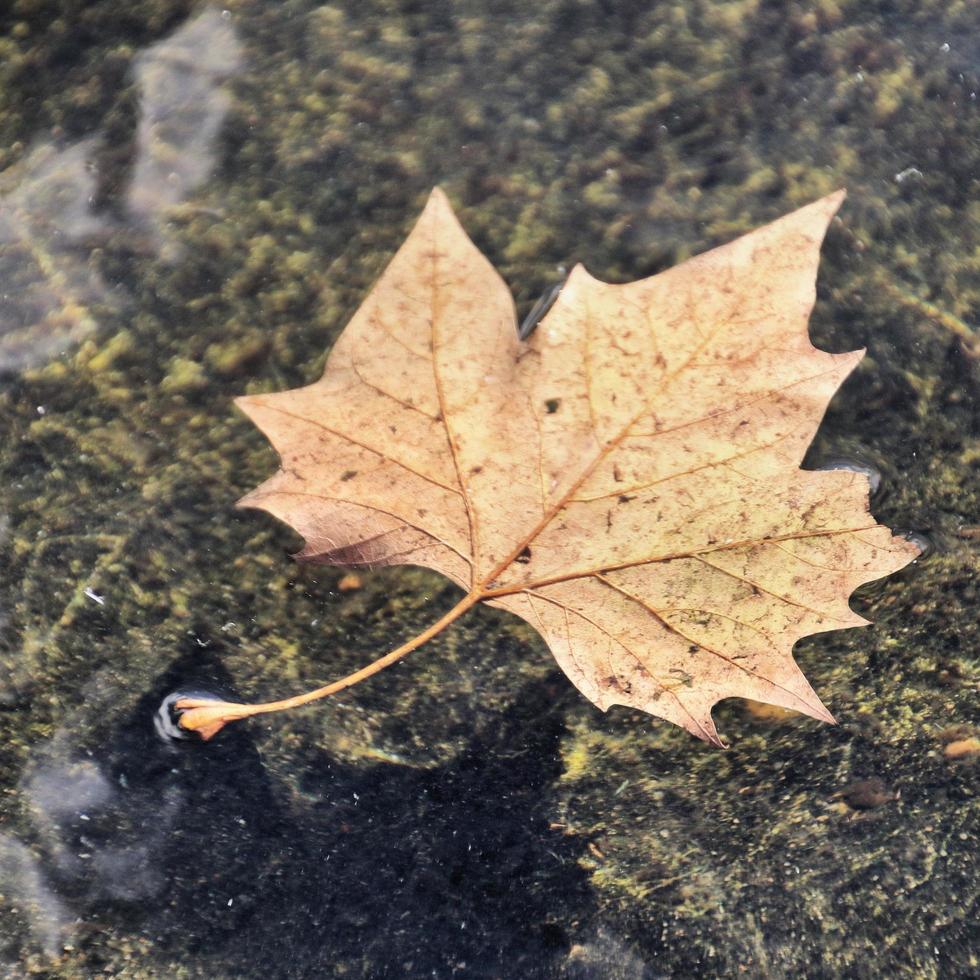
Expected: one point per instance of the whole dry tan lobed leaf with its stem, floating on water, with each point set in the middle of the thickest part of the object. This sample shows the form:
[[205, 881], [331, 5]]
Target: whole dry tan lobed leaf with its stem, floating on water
[[628, 481]]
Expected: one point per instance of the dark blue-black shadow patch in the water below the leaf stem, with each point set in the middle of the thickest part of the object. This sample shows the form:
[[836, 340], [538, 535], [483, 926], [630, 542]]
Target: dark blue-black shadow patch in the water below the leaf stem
[[412, 872]]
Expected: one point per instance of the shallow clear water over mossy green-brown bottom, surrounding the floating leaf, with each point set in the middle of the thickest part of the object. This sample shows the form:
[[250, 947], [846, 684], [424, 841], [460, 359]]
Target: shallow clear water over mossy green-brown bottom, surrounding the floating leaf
[[193, 200]]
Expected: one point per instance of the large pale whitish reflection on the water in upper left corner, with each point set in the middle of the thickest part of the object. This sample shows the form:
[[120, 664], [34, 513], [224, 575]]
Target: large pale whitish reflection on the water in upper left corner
[[50, 228]]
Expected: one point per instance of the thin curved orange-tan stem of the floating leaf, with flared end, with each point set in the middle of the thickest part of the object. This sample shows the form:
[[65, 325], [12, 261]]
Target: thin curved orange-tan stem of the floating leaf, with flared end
[[208, 717]]
